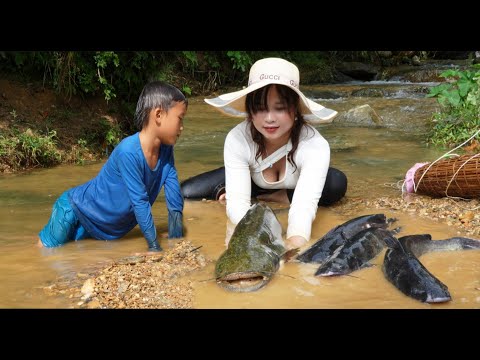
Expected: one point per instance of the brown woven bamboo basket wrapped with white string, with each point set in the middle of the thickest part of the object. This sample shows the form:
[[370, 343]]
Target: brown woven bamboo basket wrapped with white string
[[456, 177]]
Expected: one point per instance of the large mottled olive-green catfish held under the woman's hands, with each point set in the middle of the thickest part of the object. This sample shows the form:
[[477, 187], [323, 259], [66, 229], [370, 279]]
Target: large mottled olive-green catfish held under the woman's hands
[[254, 252]]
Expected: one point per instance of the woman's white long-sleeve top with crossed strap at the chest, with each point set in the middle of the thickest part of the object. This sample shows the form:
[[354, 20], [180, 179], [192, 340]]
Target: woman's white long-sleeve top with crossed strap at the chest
[[312, 158]]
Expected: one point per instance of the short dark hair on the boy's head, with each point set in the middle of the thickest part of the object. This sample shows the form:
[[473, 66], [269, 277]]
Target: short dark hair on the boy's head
[[156, 94]]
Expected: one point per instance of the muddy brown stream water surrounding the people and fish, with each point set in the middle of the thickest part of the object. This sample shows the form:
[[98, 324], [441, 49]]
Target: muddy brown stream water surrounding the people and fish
[[375, 161]]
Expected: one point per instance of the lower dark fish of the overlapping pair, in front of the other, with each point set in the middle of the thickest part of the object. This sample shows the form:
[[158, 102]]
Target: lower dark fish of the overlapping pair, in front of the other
[[355, 253]]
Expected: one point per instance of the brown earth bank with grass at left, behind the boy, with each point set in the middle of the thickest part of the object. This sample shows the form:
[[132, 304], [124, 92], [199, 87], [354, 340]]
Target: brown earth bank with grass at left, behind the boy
[[35, 121]]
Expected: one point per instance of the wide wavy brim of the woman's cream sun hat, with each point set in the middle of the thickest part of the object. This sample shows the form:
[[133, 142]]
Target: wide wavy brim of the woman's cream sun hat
[[233, 104]]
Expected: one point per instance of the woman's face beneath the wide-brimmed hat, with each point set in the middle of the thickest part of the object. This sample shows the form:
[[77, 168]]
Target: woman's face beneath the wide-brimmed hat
[[274, 123]]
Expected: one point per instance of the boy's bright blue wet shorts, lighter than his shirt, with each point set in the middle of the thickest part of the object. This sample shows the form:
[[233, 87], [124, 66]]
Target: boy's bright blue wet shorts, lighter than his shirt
[[63, 225]]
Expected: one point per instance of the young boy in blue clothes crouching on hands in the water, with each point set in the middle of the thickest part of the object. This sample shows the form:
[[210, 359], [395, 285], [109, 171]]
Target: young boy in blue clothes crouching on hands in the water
[[122, 194]]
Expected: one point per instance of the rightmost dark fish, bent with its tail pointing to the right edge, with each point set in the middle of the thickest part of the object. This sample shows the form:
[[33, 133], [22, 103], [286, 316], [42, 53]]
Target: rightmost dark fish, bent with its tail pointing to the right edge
[[403, 269]]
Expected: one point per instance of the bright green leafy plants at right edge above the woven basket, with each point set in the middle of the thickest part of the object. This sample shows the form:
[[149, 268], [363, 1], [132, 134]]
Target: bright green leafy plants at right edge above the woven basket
[[459, 115]]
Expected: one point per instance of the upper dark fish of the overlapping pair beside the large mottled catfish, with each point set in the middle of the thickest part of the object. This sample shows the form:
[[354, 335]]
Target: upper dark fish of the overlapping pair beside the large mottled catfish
[[325, 246]]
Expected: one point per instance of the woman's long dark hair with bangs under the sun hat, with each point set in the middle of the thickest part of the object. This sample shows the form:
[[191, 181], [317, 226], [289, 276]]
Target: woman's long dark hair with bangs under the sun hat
[[257, 101]]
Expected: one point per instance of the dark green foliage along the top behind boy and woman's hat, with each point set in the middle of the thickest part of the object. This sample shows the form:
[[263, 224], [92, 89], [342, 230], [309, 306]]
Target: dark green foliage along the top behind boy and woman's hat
[[122, 75]]
